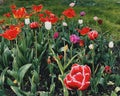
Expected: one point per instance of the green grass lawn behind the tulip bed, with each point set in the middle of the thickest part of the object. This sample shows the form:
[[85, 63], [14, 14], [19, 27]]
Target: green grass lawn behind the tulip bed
[[108, 10]]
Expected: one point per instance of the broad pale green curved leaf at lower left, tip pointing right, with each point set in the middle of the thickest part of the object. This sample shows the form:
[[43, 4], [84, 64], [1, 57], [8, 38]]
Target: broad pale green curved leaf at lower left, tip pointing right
[[22, 71]]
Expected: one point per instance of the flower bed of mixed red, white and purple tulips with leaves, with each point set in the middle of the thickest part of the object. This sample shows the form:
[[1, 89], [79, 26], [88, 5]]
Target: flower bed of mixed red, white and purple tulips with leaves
[[43, 54]]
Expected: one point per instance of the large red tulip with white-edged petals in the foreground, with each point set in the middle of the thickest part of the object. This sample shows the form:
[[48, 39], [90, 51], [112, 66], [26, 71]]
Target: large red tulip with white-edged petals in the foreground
[[78, 78]]
